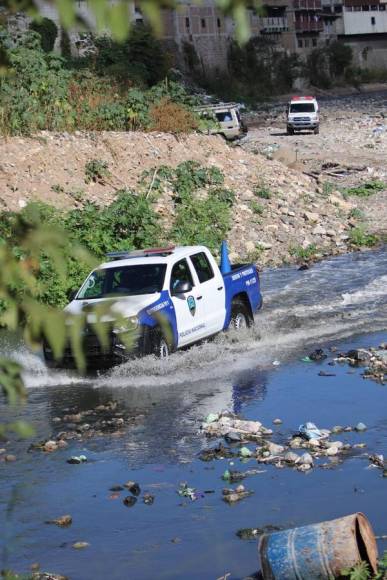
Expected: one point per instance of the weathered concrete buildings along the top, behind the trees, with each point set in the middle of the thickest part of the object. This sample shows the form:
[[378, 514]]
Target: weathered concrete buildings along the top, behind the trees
[[202, 32]]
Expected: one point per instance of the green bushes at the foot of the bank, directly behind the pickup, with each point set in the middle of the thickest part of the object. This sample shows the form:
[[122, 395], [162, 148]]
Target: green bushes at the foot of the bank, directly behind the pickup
[[202, 215]]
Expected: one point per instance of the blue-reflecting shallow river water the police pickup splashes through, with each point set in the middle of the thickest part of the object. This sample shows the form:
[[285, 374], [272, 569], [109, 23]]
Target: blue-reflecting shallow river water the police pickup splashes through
[[340, 303]]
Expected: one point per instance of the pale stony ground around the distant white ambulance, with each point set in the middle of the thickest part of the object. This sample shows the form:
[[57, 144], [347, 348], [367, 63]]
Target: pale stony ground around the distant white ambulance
[[350, 149]]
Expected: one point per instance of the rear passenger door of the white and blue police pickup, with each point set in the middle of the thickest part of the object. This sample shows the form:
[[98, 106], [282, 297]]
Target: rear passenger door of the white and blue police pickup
[[212, 290]]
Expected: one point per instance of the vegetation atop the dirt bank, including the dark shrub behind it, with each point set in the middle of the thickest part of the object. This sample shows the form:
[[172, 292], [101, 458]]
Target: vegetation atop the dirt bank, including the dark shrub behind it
[[44, 91]]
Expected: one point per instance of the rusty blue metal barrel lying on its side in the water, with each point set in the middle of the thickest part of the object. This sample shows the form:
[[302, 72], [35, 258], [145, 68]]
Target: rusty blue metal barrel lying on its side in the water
[[319, 551]]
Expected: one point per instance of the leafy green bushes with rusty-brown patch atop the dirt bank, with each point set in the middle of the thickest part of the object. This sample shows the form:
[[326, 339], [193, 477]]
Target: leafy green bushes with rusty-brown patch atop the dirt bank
[[45, 94]]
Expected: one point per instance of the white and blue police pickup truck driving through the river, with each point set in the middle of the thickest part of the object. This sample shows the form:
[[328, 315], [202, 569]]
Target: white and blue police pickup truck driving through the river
[[172, 297]]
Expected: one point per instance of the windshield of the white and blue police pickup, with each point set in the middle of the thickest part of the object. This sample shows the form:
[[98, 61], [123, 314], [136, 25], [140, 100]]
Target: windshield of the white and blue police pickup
[[124, 281]]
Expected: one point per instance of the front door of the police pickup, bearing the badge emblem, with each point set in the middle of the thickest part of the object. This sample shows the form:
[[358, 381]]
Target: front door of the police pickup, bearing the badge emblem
[[189, 306]]
